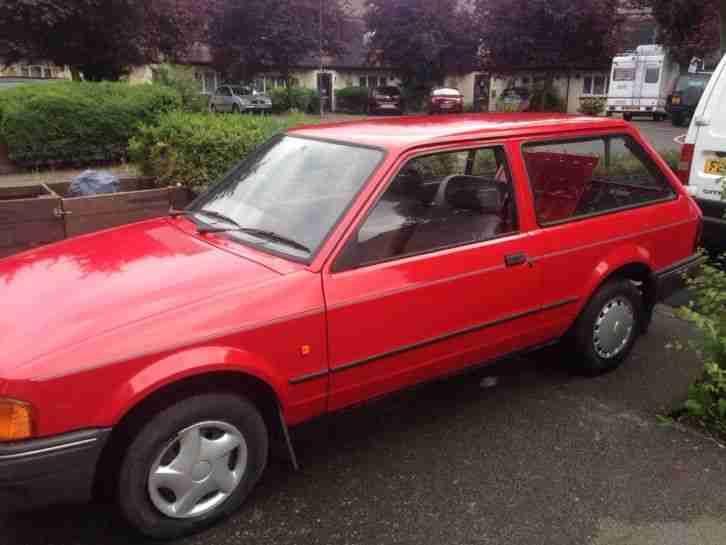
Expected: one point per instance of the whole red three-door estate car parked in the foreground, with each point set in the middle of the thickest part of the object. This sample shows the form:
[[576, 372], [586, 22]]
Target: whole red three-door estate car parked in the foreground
[[337, 263]]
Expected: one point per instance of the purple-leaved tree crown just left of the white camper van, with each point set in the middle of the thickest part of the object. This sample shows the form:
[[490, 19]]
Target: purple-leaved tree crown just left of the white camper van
[[548, 33]]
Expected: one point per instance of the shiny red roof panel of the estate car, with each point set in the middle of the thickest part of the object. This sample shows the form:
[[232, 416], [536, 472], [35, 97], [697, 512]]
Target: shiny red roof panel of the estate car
[[410, 131]]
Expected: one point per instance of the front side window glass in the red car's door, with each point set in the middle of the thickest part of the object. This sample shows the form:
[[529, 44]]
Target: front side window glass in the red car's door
[[437, 201]]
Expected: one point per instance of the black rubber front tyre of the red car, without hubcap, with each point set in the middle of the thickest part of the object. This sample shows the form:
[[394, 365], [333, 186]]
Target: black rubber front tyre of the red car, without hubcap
[[133, 495]]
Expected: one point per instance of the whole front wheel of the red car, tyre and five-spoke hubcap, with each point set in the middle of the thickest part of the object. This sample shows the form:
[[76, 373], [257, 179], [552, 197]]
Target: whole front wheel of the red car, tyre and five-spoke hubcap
[[192, 464]]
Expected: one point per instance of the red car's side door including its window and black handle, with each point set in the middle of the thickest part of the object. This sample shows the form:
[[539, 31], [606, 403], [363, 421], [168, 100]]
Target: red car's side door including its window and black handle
[[434, 277]]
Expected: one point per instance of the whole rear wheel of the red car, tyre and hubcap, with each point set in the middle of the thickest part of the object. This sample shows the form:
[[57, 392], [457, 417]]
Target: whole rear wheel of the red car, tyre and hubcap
[[607, 329]]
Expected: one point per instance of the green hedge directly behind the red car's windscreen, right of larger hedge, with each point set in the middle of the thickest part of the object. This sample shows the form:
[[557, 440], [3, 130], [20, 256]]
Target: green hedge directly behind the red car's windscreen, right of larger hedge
[[196, 150]]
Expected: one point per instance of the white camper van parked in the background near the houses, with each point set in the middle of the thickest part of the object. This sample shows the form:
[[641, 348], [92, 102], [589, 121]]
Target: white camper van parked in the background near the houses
[[640, 82]]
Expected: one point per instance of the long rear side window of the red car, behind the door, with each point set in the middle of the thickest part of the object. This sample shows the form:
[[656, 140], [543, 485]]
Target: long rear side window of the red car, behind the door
[[584, 177]]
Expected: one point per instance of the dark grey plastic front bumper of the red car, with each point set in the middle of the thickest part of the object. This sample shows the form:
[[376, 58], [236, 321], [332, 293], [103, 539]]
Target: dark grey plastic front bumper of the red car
[[59, 469]]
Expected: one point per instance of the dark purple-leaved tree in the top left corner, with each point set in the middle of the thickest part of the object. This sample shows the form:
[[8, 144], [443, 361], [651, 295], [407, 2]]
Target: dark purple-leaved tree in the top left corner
[[100, 38]]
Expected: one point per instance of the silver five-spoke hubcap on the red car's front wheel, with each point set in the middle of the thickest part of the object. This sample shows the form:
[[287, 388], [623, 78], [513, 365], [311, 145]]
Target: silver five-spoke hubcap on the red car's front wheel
[[198, 470]]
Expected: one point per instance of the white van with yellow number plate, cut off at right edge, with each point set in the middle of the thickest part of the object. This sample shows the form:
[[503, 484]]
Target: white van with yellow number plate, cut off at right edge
[[703, 158]]
